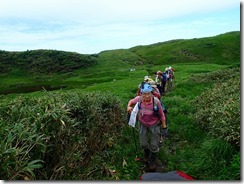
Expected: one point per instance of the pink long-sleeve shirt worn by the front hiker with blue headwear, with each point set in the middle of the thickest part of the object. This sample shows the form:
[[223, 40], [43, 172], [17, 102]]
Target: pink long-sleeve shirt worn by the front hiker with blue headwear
[[146, 113]]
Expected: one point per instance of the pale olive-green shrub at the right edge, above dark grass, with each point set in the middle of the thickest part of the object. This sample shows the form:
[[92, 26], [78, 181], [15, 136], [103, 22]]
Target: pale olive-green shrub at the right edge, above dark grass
[[218, 110]]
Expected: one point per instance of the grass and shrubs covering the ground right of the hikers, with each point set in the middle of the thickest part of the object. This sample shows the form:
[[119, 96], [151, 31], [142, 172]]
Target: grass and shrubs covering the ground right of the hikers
[[205, 127]]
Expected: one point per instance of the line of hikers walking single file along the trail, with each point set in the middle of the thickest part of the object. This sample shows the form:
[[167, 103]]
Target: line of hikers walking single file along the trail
[[148, 109]]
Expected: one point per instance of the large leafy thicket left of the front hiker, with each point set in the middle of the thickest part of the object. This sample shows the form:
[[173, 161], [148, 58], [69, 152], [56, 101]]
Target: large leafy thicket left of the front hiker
[[58, 135]]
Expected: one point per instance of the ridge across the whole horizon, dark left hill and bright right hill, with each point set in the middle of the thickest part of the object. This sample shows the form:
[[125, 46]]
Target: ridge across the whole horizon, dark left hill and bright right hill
[[223, 48]]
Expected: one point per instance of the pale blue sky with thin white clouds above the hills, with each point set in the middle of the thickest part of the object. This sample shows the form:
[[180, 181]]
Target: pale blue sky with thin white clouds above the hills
[[92, 26]]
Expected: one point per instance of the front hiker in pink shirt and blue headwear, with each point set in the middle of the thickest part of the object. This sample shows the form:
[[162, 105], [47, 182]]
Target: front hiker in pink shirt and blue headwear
[[150, 117]]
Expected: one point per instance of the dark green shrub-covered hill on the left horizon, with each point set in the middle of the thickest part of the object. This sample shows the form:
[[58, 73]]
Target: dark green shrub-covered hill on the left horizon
[[44, 61]]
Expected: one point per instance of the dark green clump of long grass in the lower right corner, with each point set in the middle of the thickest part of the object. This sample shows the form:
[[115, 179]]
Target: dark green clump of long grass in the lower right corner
[[215, 159]]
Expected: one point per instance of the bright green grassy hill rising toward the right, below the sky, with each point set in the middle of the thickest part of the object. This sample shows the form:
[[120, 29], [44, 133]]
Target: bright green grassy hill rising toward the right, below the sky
[[217, 49]]
